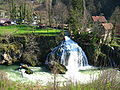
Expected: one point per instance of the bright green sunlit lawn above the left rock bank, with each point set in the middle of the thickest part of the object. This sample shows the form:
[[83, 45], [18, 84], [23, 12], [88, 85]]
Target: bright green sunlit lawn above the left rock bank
[[23, 29]]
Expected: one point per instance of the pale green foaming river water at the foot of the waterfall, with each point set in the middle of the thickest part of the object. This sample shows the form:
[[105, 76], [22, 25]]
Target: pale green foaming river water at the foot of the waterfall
[[44, 77]]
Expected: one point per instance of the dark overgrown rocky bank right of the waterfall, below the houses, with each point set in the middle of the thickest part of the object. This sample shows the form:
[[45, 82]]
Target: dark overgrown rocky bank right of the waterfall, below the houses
[[98, 53]]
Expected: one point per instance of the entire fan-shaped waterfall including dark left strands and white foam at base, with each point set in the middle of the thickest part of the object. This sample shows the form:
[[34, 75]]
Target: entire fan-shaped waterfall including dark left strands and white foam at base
[[71, 55]]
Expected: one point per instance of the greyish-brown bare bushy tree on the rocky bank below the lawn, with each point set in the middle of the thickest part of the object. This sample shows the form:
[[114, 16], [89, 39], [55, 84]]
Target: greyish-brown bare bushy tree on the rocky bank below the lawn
[[31, 51]]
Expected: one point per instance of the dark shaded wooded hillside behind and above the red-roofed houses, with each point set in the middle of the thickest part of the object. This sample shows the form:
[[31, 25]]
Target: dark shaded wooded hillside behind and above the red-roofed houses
[[106, 7]]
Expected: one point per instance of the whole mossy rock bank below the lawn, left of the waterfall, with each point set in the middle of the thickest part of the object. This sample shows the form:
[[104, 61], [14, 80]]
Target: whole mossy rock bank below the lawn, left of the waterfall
[[21, 49]]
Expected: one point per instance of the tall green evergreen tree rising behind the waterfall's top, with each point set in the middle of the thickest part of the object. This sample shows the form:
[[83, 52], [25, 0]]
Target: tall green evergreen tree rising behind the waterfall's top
[[76, 15]]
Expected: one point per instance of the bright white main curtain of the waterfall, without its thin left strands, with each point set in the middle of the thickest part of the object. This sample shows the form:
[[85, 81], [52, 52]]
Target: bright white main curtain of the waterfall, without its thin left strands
[[72, 56]]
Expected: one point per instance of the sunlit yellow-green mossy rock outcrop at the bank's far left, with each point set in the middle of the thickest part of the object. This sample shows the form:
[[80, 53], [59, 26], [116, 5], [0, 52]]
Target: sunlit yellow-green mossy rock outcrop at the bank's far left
[[10, 53]]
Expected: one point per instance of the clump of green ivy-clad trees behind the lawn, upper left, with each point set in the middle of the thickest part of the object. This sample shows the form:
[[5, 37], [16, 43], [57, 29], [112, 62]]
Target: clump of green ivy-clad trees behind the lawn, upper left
[[21, 10]]
